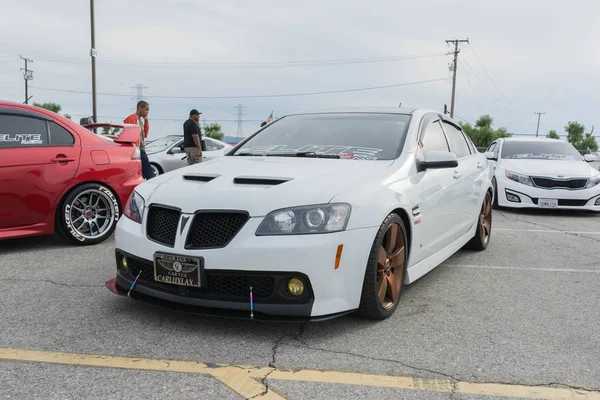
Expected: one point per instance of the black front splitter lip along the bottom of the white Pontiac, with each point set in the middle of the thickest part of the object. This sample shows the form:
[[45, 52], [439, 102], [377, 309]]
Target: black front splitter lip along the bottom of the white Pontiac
[[217, 312]]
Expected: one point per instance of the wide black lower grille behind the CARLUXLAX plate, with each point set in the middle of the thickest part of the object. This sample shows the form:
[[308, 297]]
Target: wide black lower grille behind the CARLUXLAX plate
[[225, 284]]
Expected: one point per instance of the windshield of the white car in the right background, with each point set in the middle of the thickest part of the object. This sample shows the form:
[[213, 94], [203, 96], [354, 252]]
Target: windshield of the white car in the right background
[[539, 150]]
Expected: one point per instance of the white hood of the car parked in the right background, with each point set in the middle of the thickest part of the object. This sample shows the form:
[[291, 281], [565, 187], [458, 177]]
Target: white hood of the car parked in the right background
[[550, 168]]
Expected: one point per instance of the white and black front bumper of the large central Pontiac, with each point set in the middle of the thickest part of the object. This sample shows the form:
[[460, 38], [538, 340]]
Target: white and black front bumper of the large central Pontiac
[[329, 292]]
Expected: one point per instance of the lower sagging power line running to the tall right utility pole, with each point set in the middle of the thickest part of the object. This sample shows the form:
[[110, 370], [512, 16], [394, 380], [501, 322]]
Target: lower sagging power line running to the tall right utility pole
[[256, 96]]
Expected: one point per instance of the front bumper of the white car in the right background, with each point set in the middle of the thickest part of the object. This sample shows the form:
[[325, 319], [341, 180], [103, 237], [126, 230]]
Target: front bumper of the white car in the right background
[[515, 195]]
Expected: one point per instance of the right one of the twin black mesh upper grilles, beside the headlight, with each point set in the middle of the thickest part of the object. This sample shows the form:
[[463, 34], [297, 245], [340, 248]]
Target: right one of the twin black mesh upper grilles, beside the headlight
[[214, 229]]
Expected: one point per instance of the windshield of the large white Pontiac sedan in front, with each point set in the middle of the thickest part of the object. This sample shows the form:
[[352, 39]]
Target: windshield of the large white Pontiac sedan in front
[[350, 135]]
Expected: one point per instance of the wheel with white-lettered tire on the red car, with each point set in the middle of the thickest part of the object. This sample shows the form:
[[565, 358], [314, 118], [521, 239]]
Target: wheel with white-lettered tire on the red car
[[88, 214]]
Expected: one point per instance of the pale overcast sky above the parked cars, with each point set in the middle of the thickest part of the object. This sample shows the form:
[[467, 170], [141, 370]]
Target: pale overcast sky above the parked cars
[[540, 55]]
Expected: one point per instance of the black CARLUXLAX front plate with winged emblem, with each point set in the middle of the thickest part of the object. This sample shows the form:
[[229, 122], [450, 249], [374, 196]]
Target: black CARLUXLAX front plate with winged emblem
[[177, 270]]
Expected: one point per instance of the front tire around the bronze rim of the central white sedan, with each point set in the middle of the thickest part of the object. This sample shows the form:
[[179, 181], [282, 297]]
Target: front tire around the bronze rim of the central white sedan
[[370, 304]]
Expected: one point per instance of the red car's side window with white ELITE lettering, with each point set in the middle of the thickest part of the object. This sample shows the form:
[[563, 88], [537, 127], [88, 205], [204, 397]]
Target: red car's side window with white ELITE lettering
[[17, 131]]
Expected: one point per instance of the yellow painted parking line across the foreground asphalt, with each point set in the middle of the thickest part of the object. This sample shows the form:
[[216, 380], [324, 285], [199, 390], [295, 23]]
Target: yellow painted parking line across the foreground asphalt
[[245, 380]]
